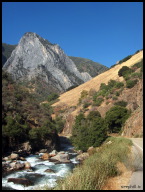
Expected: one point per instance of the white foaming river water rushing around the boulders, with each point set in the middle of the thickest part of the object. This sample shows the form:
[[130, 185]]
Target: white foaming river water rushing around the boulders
[[38, 175]]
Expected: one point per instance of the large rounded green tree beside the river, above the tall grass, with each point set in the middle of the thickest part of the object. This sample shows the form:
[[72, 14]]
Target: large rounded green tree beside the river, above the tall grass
[[90, 131]]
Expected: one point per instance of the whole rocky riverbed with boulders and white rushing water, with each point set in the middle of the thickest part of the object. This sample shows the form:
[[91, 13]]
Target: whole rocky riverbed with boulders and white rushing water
[[36, 170]]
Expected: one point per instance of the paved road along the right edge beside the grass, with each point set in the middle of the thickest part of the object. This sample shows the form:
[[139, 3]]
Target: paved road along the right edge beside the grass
[[136, 182]]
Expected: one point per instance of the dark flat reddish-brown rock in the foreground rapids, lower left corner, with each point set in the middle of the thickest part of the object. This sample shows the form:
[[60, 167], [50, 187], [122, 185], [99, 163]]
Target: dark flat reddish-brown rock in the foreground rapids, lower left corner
[[22, 181]]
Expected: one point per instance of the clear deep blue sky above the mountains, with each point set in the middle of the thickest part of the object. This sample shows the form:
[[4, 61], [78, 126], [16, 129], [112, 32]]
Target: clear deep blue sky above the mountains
[[104, 32]]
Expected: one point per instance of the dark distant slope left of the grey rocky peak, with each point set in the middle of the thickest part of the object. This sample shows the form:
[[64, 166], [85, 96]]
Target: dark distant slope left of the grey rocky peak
[[6, 52]]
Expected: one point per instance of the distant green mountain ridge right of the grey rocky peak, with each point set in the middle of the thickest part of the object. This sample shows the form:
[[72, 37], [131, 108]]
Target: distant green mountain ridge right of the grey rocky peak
[[89, 66]]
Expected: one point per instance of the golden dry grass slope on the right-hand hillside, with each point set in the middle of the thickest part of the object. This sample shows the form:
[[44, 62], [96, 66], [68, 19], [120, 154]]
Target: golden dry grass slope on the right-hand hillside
[[71, 97]]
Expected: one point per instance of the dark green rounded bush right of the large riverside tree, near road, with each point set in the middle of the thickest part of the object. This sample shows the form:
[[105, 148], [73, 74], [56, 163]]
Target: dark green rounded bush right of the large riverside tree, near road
[[115, 118]]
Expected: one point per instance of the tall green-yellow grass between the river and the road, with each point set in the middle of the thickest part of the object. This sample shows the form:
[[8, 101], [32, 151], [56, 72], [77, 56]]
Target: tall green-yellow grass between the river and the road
[[95, 170]]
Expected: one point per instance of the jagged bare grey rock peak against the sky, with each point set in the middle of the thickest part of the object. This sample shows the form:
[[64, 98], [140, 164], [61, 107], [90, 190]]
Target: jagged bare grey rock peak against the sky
[[35, 57]]
